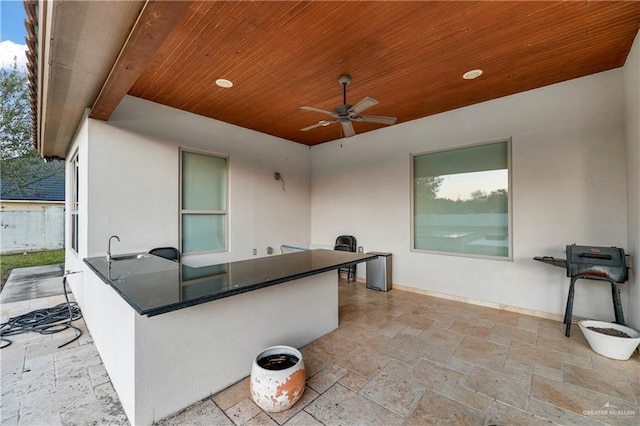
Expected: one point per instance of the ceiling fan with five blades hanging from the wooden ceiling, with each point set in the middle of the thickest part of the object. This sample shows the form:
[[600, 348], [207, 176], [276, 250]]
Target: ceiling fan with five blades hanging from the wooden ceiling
[[345, 113]]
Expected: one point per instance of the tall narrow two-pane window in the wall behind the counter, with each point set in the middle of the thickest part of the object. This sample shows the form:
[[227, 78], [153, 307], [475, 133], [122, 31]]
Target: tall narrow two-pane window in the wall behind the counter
[[203, 204]]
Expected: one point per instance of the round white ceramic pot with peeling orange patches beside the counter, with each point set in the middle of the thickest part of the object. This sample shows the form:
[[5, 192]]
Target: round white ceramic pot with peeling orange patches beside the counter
[[277, 378]]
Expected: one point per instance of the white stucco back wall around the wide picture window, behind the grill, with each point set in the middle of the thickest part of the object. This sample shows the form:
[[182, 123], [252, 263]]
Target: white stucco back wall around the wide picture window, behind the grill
[[569, 185]]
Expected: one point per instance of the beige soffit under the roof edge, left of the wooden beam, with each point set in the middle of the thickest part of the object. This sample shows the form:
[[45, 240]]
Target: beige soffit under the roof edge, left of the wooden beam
[[86, 38]]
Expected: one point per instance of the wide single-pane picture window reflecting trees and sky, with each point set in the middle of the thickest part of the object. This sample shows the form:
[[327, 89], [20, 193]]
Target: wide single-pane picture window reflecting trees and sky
[[461, 201]]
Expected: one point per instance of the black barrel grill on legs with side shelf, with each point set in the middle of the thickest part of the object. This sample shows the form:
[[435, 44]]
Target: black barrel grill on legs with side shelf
[[592, 263]]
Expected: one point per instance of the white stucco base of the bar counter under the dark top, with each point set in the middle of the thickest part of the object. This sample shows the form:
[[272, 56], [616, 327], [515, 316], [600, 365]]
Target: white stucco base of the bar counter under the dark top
[[160, 365]]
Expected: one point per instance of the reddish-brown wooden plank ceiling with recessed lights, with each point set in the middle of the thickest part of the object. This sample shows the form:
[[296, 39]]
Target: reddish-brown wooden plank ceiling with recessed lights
[[410, 56]]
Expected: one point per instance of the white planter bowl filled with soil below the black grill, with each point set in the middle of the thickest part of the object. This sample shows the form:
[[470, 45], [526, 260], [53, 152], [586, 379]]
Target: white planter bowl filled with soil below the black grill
[[610, 346]]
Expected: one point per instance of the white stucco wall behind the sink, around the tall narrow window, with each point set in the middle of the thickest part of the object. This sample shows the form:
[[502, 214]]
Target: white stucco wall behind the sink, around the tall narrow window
[[134, 163]]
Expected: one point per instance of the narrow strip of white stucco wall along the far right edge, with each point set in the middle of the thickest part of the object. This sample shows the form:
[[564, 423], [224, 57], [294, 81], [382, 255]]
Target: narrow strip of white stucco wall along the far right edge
[[631, 73]]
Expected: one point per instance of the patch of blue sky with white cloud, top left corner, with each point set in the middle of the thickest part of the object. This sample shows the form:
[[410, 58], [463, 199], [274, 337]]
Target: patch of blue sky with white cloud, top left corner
[[12, 32]]
